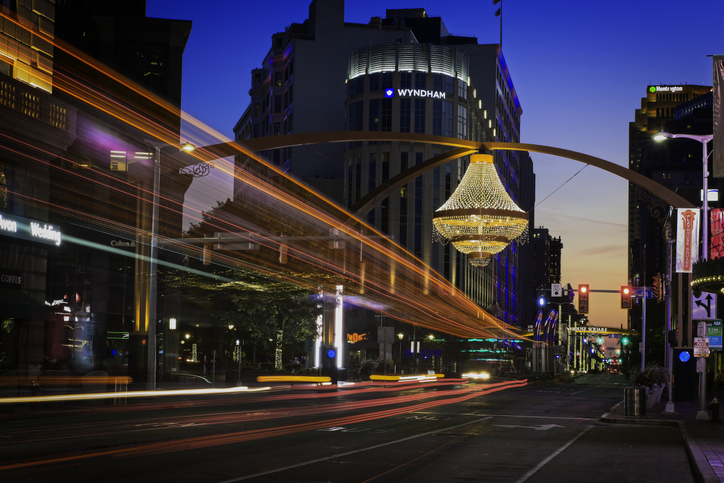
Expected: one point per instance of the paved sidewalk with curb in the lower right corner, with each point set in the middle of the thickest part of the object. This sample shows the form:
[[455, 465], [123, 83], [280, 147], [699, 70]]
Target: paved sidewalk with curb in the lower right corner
[[704, 439]]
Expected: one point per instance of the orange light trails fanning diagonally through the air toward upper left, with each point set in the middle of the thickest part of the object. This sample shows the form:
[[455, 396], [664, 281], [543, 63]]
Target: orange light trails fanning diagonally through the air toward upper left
[[383, 273]]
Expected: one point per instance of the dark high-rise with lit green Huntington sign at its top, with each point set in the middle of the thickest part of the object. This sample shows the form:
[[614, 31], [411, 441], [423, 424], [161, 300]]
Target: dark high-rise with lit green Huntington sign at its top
[[676, 164]]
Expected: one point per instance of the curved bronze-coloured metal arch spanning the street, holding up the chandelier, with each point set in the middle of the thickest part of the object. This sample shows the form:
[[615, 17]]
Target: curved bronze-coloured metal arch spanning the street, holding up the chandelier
[[380, 193]]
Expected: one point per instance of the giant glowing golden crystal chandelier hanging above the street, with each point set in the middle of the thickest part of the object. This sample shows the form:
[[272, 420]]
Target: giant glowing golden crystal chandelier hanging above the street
[[480, 218]]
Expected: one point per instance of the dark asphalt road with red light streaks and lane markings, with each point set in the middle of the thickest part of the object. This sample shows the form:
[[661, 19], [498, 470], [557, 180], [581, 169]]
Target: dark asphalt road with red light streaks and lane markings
[[473, 432]]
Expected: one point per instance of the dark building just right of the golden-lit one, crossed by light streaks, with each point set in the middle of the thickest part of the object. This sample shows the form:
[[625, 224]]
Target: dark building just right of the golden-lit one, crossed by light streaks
[[112, 289]]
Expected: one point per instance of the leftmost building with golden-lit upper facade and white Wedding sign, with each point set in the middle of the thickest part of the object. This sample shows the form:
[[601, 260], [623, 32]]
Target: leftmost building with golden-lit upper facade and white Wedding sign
[[36, 127]]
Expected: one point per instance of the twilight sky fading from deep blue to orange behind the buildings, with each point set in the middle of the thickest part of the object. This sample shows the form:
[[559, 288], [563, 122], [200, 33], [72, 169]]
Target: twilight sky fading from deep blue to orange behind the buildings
[[580, 70]]
